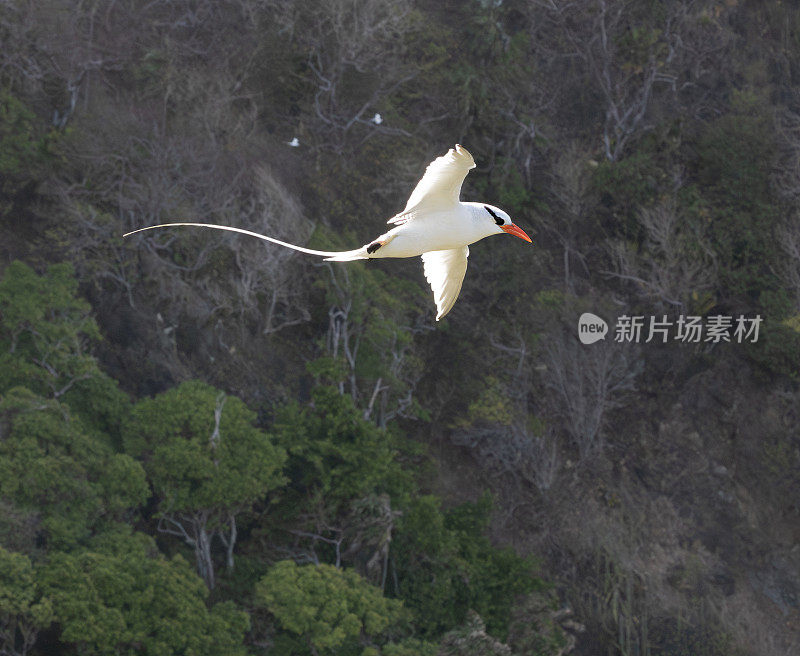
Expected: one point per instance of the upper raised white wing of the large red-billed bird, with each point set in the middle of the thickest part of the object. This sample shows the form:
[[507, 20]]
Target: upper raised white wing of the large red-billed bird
[[440, 187]]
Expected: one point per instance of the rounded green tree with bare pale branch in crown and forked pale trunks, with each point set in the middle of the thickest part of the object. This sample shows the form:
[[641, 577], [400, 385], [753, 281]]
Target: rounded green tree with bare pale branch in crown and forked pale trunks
[[207, 463]]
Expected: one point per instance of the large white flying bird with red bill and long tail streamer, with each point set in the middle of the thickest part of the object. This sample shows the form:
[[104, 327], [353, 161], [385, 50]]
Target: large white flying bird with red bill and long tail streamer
[[434, 224]]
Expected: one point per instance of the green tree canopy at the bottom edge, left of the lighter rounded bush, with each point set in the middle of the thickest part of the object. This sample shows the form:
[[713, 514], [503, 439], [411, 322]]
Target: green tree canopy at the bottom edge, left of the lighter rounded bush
[[122, 597]]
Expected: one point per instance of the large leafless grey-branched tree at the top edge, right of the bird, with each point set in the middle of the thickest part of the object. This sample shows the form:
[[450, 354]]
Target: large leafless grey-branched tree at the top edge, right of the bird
[[630, 59]]
